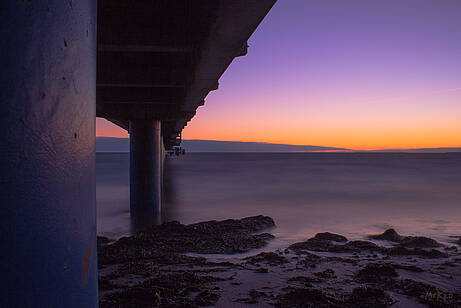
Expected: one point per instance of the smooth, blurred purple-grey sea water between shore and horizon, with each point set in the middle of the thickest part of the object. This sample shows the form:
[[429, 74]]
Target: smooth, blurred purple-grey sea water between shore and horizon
[[349, 193]]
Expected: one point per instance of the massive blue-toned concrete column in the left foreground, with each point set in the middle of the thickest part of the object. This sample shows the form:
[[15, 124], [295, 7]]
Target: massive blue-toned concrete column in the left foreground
[[47, 153]]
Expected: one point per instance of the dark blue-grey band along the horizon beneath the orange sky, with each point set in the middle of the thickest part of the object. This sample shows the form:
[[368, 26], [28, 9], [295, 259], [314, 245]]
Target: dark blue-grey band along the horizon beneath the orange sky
[[111, 144]]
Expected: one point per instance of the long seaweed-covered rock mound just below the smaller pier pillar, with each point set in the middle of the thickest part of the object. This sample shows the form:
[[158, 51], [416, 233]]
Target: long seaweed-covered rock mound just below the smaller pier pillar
[[225, 237]]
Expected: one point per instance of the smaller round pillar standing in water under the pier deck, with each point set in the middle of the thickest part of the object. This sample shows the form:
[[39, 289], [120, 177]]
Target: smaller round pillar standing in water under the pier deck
[[145, 172]]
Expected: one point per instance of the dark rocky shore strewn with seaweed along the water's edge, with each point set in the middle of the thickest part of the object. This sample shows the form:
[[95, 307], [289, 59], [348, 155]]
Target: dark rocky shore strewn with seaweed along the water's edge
[[159, 267]]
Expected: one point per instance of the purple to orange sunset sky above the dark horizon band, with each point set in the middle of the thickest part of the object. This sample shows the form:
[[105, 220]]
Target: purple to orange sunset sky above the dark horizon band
[[357, 74]]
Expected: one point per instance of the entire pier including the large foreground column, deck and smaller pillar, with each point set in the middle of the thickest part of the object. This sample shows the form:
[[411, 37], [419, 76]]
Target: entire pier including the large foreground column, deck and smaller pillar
[[145, 66]]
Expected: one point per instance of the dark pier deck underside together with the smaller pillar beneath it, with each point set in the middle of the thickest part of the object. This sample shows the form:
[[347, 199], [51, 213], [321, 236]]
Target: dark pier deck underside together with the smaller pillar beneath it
[[157, 61]]
